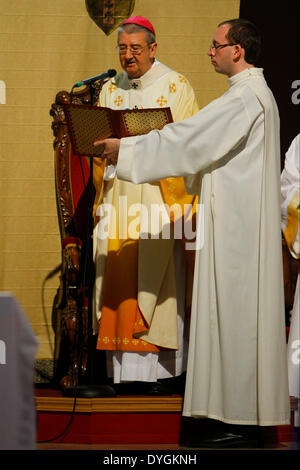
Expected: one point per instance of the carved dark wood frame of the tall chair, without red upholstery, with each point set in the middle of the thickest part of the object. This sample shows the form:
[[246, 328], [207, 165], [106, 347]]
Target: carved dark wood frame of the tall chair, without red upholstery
[[70, 309]]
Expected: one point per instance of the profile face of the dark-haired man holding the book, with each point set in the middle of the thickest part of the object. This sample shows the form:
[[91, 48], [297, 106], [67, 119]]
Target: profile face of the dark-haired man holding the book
[[223, 57]]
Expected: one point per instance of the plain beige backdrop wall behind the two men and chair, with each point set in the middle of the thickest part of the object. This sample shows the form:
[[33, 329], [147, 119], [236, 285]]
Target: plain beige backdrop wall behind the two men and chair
[[47, 46]]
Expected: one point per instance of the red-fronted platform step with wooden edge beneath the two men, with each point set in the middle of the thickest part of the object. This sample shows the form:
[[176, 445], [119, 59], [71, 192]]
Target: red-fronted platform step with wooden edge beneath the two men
[[120, 420]]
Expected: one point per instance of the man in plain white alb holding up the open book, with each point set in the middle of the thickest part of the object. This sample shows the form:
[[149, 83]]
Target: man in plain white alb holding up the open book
[[229, 154]]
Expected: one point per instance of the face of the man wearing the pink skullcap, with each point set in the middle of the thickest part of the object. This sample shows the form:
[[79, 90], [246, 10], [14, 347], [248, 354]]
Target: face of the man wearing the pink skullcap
[[136, 55]]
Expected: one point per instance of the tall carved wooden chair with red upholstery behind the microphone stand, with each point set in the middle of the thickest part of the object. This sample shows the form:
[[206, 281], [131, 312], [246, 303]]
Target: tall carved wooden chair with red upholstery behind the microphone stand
[[70, 311]]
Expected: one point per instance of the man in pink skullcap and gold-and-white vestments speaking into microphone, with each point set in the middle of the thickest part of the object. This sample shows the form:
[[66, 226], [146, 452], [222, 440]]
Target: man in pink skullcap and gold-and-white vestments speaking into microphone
[[160, 268]]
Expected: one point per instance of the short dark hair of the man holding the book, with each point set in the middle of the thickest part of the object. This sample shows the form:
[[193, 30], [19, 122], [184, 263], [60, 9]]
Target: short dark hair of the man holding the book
[[246, 34]]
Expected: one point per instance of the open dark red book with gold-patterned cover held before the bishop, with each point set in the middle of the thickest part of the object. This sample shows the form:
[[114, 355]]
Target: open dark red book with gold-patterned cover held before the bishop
[[90, 123]]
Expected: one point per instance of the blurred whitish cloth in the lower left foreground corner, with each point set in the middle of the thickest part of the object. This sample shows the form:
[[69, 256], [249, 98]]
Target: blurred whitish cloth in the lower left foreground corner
[[18, 347]]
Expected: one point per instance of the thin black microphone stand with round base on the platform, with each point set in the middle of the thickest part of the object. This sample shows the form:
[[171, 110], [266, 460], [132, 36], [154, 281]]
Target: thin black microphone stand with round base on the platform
[[90, 390]]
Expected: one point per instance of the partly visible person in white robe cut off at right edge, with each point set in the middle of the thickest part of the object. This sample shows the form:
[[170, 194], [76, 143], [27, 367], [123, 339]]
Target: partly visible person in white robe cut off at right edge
[[290, 212]]
